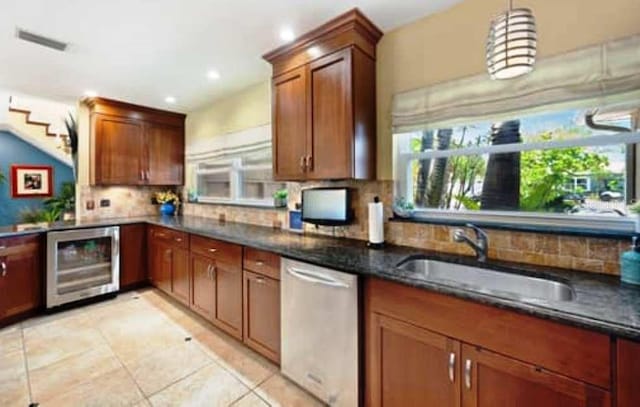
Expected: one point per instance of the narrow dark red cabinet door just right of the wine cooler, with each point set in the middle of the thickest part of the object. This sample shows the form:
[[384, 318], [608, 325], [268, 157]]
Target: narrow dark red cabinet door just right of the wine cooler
[[133, 255]]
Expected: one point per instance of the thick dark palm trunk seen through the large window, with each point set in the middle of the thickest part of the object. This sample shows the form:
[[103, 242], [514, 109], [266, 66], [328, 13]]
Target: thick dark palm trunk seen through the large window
[[501, 186]]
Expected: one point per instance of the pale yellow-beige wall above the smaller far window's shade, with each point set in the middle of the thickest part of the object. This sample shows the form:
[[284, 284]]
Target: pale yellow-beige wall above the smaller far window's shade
[[246, 109]]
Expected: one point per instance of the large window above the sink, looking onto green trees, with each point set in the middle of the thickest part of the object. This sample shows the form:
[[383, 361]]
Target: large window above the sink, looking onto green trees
[[547, 167]]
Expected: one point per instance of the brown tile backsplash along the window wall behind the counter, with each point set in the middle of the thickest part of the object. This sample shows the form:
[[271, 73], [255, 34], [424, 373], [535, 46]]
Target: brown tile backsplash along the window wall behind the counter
[[580, 253]]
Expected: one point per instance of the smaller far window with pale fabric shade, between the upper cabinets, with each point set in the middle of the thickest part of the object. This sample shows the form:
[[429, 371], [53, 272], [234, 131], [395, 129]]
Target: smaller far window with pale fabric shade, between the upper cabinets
[[232, 173]]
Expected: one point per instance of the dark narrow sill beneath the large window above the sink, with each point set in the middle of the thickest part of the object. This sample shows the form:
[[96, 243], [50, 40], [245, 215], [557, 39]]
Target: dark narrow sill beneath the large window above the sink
[[544, 229]]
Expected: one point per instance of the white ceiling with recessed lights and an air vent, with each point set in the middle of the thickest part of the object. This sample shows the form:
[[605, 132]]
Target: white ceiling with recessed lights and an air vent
[[142, 51]]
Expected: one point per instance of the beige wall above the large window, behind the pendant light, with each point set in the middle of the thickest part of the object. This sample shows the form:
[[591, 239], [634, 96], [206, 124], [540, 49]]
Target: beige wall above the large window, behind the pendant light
[[450, 45]]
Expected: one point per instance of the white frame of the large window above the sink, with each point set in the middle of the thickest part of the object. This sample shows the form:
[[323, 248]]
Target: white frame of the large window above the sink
[[403, 187]]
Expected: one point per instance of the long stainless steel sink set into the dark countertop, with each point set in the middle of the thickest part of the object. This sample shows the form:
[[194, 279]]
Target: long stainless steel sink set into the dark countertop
[[498, 283]]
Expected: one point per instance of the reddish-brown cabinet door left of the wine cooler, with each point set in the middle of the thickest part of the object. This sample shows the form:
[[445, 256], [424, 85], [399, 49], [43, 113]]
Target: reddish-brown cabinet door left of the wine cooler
[[20, 279]]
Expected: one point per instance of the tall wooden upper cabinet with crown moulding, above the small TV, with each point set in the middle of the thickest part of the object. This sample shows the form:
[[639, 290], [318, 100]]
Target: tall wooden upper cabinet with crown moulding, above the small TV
[[323, 88]]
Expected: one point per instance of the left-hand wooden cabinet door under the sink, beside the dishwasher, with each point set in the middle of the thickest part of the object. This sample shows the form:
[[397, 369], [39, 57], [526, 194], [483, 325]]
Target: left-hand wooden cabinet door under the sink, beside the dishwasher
[[410, 366]]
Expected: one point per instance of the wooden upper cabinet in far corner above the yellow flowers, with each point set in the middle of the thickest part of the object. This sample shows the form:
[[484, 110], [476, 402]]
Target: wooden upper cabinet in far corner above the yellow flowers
[[135, 145]]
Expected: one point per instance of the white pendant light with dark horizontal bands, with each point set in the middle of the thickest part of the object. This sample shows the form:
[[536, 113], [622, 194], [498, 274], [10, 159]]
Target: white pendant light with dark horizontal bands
[[512, 42]]
